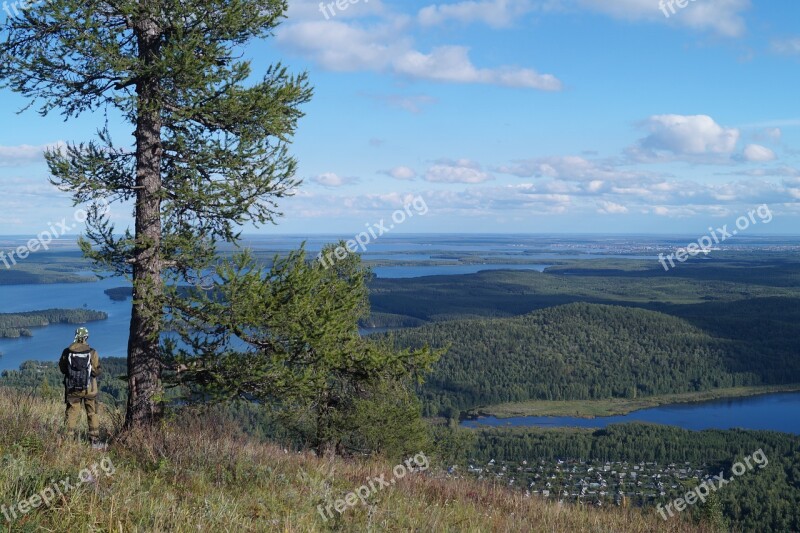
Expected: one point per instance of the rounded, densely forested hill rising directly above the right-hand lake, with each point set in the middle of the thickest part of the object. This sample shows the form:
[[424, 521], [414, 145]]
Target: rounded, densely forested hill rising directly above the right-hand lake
[[587, 351]]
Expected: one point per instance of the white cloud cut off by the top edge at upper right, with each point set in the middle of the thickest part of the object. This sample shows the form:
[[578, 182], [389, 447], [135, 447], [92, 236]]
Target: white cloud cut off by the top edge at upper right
[[723, 17]]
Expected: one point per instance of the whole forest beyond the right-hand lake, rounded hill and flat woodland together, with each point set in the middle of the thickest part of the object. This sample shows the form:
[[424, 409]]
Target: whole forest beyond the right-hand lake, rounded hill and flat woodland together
[[594, 329]]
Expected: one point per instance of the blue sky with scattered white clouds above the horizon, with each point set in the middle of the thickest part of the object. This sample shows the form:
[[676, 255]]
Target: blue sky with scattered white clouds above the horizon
[[507, 116]]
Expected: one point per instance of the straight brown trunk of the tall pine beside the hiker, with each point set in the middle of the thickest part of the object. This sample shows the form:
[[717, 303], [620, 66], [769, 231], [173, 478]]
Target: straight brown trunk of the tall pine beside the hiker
[[144, 354]]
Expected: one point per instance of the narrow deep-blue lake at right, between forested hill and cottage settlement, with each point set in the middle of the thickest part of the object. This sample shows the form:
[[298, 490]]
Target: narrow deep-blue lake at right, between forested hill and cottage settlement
[[777, 412]]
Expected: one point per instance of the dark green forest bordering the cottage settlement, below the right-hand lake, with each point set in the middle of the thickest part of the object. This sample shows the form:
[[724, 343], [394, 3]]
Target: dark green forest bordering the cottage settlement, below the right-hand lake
[[767, 500]]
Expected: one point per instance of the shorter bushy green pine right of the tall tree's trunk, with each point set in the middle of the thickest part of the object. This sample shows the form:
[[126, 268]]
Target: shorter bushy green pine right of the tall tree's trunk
[[288, 337]]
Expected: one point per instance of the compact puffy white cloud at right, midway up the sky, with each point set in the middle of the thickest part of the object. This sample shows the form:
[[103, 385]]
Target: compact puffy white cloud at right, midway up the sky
[[694, 137]]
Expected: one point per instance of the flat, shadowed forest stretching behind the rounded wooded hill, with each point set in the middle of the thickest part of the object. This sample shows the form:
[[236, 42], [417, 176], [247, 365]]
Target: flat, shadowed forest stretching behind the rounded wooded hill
[[620, 282]]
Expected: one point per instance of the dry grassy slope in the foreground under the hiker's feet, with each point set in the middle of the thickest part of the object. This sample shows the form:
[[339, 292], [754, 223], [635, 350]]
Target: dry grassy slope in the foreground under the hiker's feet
[[200, 475]]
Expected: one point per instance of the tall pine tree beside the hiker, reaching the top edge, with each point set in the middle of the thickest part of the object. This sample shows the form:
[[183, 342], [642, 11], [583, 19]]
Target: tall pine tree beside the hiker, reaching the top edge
[[209, 149]]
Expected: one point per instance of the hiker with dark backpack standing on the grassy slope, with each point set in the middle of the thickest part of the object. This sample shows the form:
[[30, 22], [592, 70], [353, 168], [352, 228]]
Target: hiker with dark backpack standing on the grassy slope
[[80, 365]]
